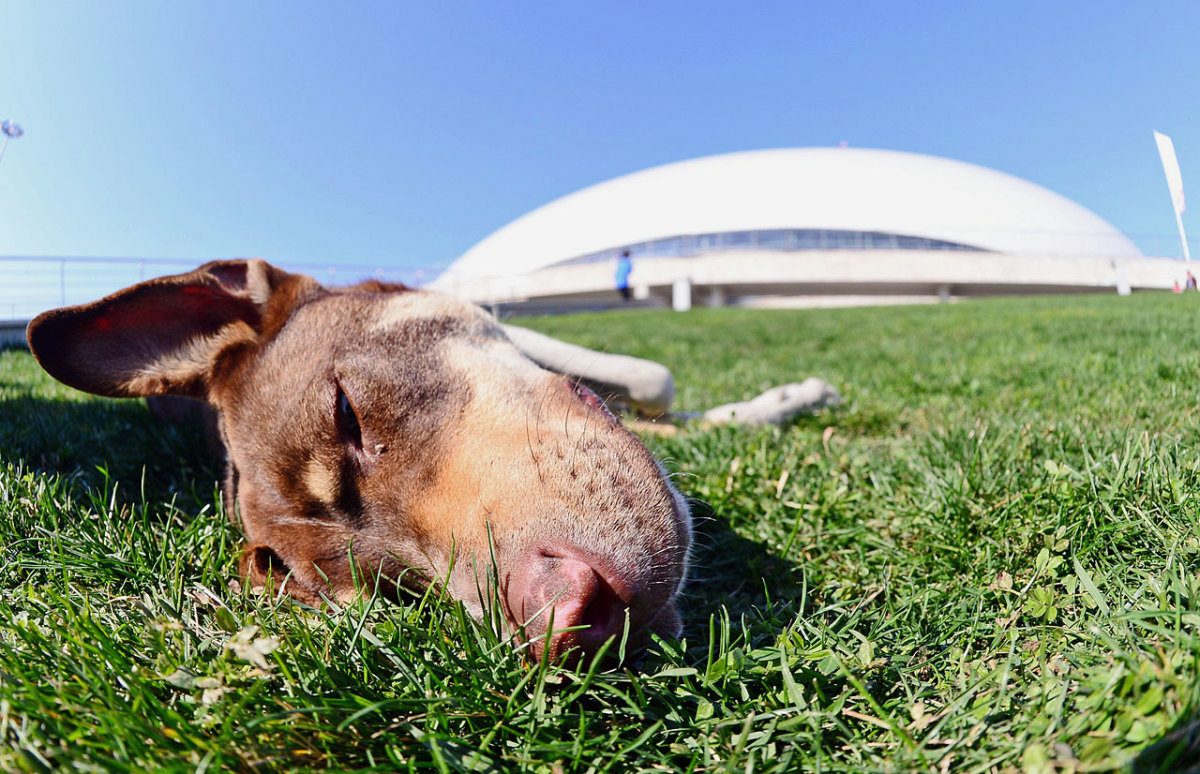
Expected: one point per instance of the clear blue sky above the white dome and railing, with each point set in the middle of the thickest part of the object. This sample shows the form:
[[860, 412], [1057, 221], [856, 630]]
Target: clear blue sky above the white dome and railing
[[400, 135]]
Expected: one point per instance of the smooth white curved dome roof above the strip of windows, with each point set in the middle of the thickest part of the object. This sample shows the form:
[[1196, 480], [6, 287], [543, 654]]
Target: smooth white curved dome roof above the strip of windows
[[853, 190]]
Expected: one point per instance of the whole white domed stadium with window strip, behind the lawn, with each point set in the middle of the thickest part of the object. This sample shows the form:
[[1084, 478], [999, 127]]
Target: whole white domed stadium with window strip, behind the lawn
[[803, 226]]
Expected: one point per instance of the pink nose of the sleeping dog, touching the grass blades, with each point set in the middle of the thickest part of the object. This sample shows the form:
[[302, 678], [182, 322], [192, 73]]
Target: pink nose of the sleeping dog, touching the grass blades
[[587, 605]]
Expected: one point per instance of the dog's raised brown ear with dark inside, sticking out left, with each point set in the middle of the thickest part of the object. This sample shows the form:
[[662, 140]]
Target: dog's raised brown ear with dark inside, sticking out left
[[164, 337]]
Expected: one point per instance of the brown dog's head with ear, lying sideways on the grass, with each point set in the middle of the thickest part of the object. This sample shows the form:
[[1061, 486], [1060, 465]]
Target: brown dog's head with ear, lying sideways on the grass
[[381, 431]]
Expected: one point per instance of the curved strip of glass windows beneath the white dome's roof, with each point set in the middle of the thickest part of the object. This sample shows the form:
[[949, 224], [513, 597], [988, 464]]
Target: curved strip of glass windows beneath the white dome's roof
[[779, 239]]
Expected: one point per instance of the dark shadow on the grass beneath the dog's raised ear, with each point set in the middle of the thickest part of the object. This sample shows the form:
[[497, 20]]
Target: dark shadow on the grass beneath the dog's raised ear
[[85, 440]]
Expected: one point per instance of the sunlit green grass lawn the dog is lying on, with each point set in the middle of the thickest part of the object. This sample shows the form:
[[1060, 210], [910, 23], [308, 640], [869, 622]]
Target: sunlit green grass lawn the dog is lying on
[[987, 560]]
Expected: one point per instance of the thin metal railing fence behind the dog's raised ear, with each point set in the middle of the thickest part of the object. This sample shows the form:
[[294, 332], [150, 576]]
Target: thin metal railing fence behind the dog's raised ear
[[33, 285]]
